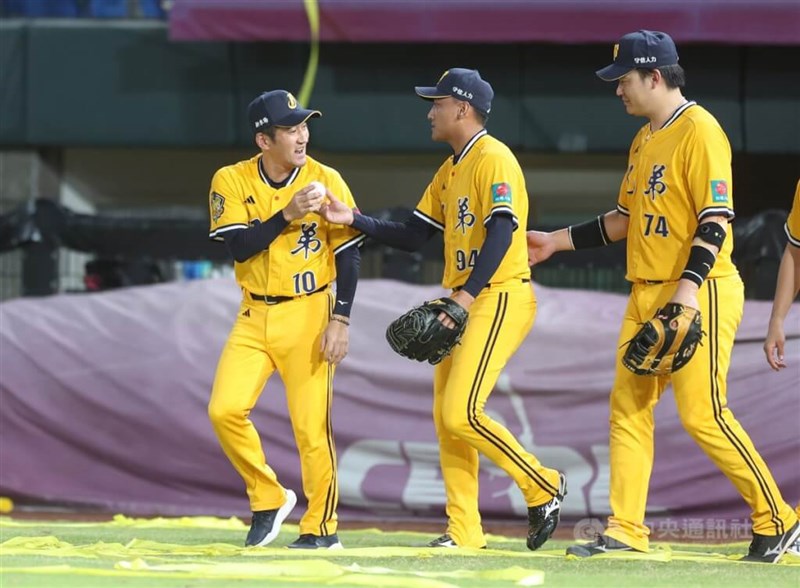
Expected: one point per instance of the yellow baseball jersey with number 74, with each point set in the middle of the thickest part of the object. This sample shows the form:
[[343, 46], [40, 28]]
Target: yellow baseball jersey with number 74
[[676, 176]]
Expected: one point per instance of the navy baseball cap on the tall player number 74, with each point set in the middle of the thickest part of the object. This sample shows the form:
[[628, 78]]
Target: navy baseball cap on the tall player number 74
[[640, 50]]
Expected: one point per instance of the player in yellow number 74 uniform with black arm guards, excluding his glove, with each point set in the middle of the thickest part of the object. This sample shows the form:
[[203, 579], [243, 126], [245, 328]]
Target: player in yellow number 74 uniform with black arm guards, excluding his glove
[[674, 206]]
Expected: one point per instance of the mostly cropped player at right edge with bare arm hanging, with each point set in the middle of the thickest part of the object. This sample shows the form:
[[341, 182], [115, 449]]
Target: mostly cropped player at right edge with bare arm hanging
[[786, 289]]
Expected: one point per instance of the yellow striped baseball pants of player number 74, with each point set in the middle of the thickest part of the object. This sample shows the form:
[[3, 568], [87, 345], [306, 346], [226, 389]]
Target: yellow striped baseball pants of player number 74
[[700, 395]]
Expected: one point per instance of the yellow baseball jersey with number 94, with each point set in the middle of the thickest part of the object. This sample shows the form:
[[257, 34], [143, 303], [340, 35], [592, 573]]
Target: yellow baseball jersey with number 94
[[485, 179]]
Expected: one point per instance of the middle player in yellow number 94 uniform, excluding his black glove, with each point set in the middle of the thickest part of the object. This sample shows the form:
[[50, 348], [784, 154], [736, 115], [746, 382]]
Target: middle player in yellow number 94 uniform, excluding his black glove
[[477, 200]]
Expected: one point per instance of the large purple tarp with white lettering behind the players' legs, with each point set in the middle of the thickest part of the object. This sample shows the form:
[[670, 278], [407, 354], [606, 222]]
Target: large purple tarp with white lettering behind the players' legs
[[104, 404]]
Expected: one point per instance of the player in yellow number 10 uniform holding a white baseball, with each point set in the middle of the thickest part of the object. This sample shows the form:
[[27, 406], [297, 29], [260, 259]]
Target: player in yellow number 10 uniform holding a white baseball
[[286, 258]]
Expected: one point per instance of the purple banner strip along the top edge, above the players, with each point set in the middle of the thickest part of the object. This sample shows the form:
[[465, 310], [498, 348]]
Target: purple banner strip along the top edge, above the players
[[769, 22]]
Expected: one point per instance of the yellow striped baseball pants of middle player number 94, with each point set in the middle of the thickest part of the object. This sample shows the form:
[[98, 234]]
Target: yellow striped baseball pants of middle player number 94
[[499, 319]]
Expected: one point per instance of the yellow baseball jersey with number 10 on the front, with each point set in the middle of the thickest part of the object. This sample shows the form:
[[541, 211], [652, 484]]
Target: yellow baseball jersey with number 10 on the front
[[300, 259]]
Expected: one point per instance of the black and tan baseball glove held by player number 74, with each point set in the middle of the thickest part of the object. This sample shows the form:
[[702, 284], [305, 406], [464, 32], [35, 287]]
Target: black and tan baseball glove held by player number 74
[[666, 342]]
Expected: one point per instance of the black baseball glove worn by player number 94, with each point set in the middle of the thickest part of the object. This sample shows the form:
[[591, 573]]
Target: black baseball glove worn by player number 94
[[419, 335]]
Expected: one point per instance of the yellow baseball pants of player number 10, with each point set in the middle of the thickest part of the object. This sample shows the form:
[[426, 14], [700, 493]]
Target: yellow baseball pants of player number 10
[[286, 338]]
